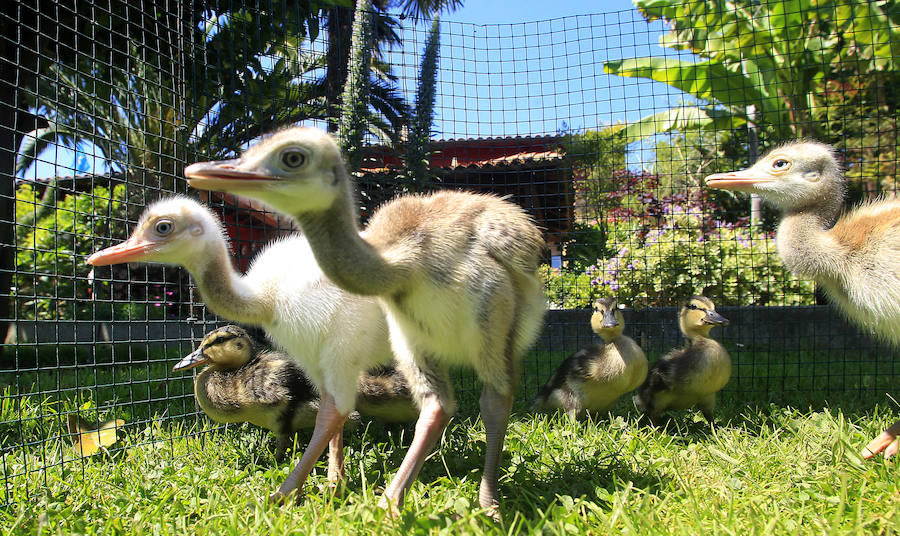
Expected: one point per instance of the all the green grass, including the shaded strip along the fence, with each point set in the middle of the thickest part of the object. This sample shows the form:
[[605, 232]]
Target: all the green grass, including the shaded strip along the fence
[[769, 468]]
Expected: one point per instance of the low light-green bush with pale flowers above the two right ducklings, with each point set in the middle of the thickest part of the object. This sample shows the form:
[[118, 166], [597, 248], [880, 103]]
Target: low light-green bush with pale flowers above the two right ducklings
[[731, 264]]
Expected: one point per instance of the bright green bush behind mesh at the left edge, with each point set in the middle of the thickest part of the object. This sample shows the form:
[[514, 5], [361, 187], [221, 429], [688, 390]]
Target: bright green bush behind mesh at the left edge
[[51, 276]]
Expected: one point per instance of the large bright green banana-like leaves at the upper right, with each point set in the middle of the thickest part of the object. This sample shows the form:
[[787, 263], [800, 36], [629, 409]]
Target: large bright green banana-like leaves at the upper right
[[759, 62]]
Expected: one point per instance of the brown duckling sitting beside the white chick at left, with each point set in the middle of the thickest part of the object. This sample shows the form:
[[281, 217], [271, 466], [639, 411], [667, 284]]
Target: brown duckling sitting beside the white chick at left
[[245, 383]]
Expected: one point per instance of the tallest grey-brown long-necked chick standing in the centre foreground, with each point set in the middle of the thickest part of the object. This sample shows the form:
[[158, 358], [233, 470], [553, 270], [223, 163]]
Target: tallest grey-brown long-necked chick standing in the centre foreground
[[455, 273]]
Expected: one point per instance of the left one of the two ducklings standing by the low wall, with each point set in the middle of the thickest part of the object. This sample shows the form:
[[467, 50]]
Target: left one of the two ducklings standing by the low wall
[[593, 378]]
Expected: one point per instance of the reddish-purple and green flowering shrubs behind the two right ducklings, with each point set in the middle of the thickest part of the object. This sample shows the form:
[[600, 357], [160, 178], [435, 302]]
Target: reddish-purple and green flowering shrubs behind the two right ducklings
[[651, 250]]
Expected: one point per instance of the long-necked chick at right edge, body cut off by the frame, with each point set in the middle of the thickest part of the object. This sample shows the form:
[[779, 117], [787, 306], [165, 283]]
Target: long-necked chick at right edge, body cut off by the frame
[[853, 257]]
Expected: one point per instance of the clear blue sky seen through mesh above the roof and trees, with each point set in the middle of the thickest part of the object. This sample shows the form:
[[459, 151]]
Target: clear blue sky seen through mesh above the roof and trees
[[511, 68]]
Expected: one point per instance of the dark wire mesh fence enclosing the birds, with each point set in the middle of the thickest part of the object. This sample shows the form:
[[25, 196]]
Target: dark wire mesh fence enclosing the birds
[[601, 134]]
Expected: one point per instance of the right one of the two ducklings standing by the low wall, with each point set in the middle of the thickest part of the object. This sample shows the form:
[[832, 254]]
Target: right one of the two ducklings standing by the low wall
[[691, 375]]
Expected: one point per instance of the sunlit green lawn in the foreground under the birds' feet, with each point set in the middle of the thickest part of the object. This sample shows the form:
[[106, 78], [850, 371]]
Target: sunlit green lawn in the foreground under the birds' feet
[[766, 469]]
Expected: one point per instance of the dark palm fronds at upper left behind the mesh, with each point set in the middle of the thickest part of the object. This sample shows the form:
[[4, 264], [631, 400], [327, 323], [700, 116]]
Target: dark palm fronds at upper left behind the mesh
[[256, 73]]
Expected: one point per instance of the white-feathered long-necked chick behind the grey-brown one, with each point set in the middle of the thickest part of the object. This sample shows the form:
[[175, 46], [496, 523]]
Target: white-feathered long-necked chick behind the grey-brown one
[[333, 335]]
